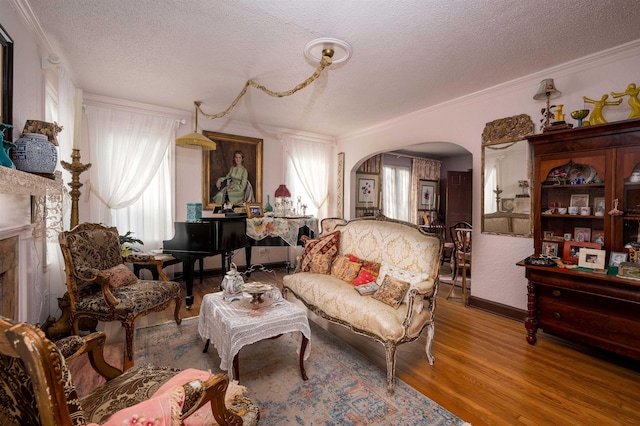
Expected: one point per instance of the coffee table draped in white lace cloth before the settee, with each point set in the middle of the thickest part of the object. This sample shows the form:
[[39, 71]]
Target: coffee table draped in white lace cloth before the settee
[[233, 325]]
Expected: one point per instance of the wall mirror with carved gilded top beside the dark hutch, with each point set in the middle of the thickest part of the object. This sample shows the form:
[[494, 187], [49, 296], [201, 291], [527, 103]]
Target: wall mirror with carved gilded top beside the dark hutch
[[506, 176]]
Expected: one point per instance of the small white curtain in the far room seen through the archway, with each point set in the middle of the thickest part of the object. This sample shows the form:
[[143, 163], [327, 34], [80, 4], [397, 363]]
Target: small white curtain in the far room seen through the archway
[[395, 187]]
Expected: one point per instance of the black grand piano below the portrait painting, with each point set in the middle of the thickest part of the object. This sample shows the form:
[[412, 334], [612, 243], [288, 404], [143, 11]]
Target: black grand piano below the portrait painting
[[207, 237]]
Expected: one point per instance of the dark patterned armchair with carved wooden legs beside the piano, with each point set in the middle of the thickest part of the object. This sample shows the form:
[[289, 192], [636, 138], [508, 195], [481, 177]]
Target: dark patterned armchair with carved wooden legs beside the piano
[[102, 288]]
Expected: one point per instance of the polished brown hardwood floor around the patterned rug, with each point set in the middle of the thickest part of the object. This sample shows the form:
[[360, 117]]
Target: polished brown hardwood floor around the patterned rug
[[487, 374]]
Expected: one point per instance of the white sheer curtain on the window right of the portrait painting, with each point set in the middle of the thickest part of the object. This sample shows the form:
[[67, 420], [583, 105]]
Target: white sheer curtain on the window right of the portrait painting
[[307, 173]]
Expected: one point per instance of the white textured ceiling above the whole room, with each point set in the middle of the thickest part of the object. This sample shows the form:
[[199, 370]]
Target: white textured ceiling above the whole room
[[407, 55]]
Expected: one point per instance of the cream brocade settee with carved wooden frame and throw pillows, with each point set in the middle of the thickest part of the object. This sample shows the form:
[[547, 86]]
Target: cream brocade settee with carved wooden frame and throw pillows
[[397, 252]]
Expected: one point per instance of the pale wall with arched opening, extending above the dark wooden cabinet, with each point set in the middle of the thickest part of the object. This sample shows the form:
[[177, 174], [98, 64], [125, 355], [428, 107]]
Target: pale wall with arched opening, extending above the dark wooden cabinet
[[495, 274]]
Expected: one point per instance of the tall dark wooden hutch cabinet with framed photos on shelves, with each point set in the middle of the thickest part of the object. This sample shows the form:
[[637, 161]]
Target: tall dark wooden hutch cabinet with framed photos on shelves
[[592, 166]]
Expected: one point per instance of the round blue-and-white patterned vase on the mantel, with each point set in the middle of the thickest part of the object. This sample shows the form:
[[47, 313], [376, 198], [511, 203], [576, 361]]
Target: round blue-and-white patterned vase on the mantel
[[34, 153]]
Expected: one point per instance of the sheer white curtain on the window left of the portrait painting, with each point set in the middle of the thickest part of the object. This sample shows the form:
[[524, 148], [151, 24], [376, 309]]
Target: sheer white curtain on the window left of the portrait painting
[[131, 175]]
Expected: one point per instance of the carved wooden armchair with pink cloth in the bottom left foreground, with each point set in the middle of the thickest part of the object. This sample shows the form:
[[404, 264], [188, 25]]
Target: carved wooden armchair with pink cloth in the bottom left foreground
[[36, 387]]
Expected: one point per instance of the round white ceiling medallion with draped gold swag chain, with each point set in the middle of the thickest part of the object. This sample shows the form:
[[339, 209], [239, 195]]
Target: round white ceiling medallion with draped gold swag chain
[[320, 50]]
